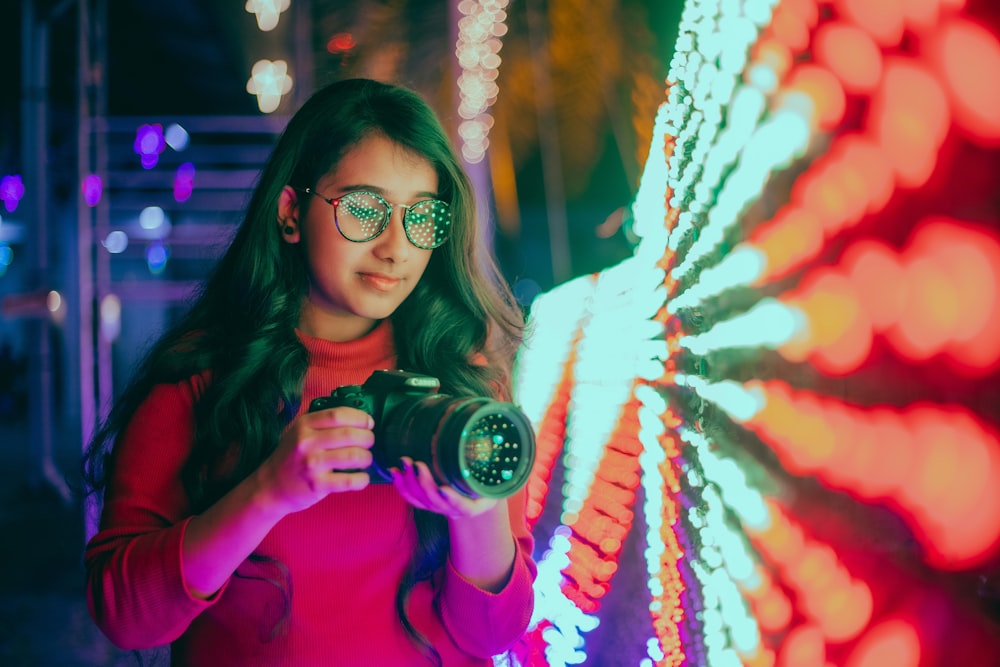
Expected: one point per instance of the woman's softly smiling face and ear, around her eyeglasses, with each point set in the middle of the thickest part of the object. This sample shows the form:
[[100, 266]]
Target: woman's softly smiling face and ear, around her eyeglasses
[[353, 285]]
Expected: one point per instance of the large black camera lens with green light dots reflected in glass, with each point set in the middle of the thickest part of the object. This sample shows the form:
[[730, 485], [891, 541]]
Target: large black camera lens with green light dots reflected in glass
[[479, 446]]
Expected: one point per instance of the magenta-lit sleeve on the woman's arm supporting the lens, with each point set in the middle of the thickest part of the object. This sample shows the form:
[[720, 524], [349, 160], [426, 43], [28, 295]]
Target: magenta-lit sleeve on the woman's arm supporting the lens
[[483, 623]]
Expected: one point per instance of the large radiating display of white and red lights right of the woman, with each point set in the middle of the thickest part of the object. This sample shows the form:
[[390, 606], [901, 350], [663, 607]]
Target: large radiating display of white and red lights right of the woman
[[783, 396]]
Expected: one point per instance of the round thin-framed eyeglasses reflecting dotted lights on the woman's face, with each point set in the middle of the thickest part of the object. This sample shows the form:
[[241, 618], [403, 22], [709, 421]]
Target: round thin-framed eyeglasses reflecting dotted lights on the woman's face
[[362, 216]]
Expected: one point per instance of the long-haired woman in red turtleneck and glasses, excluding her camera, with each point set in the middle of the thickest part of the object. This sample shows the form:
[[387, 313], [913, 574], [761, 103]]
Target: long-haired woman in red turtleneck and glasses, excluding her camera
[[240, 527]]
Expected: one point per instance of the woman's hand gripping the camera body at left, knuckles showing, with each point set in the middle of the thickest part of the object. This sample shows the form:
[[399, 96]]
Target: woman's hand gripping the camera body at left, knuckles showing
[[319, 453]]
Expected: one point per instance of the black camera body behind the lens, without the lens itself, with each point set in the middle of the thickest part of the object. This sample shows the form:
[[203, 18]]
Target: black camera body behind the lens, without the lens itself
[[381, 393]]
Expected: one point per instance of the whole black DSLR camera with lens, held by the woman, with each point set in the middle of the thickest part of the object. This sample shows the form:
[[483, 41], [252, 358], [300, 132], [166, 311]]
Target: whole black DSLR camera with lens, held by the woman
[[479, 446]]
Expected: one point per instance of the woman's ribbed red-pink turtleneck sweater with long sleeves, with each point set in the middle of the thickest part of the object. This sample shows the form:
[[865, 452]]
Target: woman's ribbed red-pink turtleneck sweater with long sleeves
[[345, 557]]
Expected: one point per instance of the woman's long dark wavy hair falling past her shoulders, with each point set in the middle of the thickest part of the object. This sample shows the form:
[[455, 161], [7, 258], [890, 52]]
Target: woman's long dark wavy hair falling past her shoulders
[[241, 326]]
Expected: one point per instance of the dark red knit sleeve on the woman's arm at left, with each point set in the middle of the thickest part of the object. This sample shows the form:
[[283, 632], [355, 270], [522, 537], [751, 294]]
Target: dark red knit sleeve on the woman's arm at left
[[135, 581]]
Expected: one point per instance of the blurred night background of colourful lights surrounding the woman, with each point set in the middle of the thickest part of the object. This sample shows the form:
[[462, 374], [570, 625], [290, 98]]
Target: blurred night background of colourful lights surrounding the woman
[[757, 243]]
